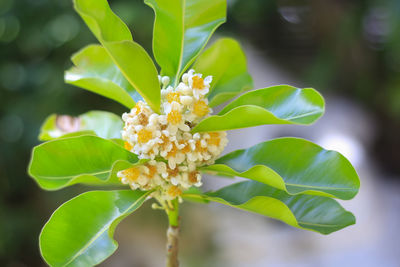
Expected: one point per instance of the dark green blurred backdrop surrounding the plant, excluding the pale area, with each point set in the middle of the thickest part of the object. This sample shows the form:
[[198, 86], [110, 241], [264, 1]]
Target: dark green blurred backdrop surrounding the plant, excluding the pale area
[[346, 48]]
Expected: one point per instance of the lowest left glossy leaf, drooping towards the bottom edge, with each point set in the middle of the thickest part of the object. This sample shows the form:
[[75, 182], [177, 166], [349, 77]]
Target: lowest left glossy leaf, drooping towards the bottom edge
[[80, 232]]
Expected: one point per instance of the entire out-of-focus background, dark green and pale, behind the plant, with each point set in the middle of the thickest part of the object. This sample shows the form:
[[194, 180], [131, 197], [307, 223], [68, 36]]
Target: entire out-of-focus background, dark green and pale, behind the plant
[[348, 50]]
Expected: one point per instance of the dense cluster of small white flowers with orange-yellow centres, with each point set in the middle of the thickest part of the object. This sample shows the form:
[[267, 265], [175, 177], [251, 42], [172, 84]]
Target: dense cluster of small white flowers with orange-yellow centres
[[165, 139]]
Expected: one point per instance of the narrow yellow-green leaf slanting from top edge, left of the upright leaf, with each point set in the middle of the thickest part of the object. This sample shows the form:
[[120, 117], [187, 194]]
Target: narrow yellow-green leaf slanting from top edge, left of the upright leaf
[[132, 60]]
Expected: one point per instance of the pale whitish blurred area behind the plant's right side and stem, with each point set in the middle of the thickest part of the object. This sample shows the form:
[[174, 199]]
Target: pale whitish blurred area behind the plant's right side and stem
[[217, 235]]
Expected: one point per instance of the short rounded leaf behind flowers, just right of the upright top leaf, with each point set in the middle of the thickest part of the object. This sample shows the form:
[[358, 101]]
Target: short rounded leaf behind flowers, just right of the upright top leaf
[[226, 63]]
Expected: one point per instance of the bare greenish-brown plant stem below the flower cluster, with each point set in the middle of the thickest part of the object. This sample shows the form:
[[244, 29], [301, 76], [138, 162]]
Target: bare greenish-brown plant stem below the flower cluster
[[173, 234]]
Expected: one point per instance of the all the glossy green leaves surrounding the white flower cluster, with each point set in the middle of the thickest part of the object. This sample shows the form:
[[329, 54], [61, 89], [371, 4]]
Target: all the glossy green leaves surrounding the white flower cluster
[[295, 180]]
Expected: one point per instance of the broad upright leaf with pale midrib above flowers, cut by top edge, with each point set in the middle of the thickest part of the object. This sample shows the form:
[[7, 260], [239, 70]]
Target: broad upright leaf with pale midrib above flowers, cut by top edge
[[181, 30]]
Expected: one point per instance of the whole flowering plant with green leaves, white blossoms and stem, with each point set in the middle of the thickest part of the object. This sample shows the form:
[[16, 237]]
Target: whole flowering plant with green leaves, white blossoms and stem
[[168, 138]]
